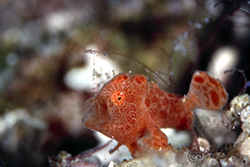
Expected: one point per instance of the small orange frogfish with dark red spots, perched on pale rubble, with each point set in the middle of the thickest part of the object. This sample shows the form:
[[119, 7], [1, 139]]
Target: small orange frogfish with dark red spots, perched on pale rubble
[[132, 110]]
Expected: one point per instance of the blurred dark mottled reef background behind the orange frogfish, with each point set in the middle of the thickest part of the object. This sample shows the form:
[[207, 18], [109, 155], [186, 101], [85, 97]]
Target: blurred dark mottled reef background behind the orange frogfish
[[36, 106]]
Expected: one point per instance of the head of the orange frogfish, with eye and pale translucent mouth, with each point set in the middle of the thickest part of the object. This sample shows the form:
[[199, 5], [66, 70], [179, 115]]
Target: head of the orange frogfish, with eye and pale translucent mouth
[[115, 102]]
